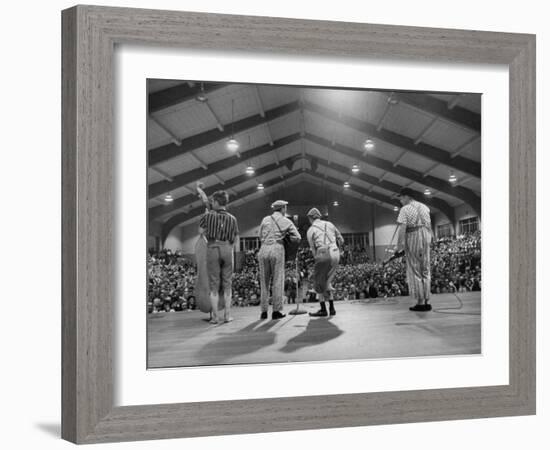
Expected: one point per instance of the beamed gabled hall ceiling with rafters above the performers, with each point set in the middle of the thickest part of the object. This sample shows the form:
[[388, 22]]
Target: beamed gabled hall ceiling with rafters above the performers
[[294, 134]]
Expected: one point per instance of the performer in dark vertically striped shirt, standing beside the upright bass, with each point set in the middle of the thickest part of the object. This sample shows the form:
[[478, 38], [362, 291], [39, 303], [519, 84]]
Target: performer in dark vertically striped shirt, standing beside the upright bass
[[220, 229]]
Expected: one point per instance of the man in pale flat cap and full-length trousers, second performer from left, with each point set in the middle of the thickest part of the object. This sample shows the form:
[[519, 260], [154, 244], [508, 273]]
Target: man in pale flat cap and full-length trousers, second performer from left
[[271, 257]]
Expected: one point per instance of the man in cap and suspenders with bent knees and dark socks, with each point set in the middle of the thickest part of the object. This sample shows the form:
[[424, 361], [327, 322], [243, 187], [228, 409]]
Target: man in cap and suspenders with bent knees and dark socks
[[324, 240]]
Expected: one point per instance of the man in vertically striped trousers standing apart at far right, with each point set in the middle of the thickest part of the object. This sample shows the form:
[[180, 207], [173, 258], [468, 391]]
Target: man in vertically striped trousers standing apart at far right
[[414, 237]]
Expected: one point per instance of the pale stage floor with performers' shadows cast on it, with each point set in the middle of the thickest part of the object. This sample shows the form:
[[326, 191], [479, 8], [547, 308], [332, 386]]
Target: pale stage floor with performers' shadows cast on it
[[360, 330]]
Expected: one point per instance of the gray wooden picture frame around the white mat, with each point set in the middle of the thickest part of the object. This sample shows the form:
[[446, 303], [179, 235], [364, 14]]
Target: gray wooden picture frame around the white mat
[[89, 37]]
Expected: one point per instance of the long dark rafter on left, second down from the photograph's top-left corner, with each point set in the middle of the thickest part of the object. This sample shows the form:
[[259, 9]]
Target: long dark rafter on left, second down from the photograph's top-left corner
[[170, 151]]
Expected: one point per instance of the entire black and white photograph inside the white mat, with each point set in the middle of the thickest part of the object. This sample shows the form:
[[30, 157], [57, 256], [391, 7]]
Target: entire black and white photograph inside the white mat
[[293, 224]]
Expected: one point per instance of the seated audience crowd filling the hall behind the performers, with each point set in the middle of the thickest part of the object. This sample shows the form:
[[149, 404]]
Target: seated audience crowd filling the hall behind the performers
[[455, 262]]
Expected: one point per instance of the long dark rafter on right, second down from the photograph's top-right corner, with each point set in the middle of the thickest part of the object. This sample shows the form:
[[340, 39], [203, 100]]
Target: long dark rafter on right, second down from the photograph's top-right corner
[[425, 150]]
